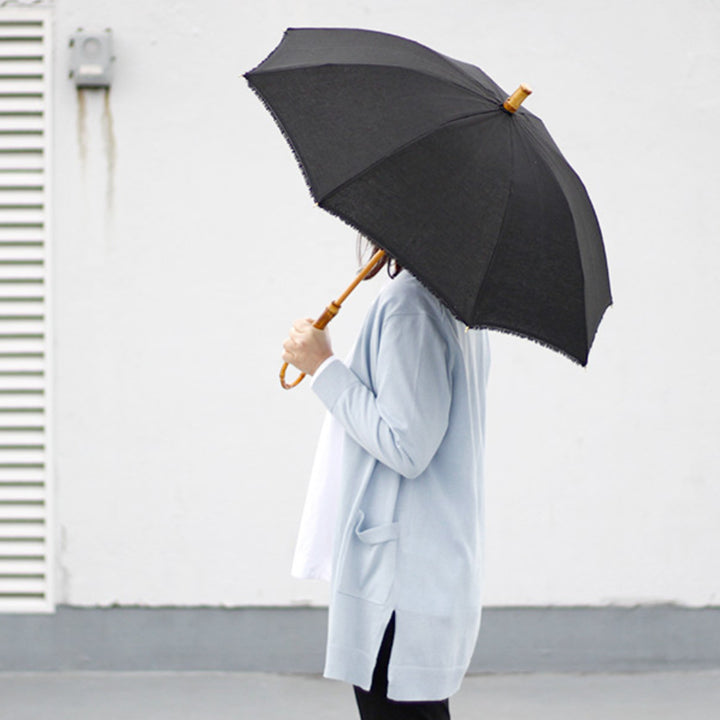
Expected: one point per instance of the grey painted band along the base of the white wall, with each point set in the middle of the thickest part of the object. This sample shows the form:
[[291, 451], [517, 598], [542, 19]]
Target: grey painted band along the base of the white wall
[[292, 640]]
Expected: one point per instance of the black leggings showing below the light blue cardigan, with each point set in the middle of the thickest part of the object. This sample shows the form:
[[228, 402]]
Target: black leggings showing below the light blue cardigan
[[374, 705]]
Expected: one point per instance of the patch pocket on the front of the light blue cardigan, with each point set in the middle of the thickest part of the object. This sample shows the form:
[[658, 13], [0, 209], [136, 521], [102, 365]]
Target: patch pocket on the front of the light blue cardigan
[[368, 567]]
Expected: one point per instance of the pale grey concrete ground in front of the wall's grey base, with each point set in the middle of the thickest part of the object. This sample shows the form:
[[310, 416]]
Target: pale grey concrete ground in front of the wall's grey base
[[259, 696]]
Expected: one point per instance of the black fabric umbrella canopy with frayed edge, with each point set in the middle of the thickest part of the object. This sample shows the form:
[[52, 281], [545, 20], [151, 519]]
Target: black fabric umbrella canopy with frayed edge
[[416, 151]]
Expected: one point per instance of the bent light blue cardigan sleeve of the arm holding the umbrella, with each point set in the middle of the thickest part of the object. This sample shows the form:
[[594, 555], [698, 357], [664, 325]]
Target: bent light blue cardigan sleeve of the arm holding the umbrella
[[403, 419]]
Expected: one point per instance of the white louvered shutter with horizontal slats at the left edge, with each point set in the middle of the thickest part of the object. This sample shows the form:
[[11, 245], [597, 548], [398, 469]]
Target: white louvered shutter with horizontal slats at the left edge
[[25, 484]]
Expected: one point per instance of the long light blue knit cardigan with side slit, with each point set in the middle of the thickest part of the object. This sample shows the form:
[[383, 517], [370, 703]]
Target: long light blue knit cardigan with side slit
[[410, 531]]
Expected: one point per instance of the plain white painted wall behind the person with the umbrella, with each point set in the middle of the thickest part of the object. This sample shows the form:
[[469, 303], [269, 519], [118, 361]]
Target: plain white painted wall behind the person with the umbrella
[[183, 254]]
